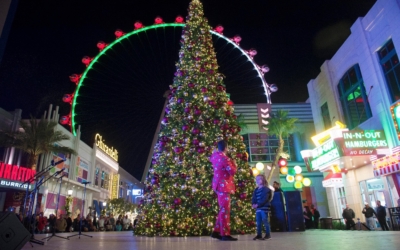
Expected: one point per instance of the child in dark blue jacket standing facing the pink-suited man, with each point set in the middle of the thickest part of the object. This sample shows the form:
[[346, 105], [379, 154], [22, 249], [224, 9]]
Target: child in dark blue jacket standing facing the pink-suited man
[[261, 201]]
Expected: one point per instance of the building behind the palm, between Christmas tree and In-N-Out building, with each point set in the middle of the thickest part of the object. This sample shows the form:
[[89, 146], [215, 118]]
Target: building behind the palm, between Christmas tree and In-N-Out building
[[262, 147]]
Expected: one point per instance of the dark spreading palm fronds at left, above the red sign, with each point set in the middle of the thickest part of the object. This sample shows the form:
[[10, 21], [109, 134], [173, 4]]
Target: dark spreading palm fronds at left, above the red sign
[[37, 137]]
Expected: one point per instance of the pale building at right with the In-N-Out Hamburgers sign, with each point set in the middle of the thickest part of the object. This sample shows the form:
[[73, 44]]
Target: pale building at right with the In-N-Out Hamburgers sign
[[353, 101]]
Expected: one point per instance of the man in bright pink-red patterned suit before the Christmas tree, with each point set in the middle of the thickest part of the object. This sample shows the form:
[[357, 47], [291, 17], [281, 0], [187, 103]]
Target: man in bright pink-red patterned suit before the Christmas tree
[[223, 185]]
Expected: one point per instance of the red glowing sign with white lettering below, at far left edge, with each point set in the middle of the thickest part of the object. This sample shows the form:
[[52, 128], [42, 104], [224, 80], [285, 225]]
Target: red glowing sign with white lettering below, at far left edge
[[14, 176]]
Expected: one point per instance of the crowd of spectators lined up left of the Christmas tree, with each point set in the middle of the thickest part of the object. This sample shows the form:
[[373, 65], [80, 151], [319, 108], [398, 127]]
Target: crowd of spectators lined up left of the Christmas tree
[[90, 223]]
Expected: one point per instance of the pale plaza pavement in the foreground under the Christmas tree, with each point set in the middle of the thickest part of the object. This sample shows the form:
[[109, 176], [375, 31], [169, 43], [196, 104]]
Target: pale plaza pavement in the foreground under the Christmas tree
[[312, 239]]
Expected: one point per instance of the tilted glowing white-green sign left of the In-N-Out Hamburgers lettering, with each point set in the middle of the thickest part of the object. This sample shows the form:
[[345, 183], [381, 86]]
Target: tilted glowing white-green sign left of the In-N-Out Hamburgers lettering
[[324, 154]]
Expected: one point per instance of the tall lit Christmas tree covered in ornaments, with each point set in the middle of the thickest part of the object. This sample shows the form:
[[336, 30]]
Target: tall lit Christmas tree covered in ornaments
[[179, 200]]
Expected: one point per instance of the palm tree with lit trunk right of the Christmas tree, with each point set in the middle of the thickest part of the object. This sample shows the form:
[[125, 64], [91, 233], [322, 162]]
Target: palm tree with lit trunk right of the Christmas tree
[[279, 125]]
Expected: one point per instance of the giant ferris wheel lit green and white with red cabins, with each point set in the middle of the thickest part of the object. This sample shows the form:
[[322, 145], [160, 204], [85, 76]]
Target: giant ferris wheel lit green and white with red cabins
[[107, 51]]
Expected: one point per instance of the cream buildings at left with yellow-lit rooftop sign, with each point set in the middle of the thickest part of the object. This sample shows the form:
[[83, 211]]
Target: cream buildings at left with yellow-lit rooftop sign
[[97, 166]]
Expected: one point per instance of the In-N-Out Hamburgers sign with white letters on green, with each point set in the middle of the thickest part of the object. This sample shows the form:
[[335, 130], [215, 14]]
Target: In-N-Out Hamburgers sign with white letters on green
[[365, 139]]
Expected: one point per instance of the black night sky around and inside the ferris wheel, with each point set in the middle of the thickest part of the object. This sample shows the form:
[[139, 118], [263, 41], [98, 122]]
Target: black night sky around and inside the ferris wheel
[[123, 96]]
